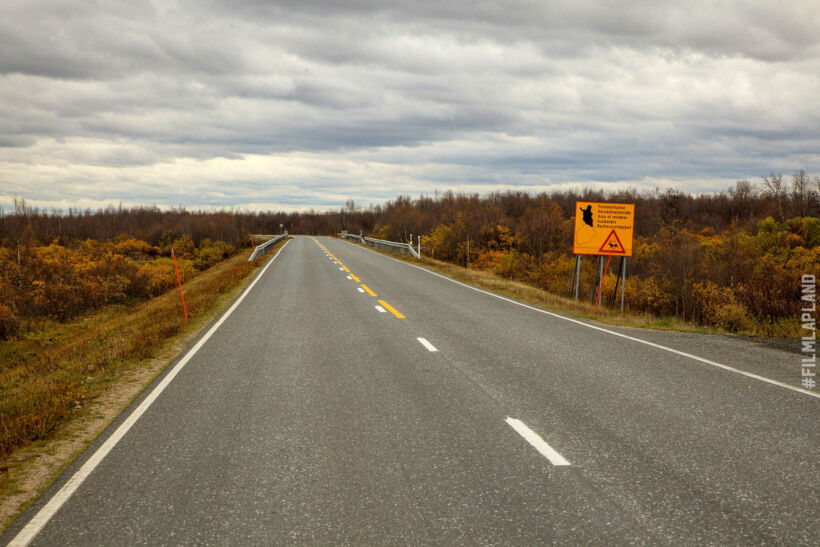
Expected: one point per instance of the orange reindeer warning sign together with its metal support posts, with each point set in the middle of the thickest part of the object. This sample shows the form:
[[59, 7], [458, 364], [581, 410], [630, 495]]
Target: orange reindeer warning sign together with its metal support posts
[[603, 229]]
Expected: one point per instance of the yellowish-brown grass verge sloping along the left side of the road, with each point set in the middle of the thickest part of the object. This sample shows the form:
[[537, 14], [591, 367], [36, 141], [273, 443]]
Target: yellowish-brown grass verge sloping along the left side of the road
[[52, 374]]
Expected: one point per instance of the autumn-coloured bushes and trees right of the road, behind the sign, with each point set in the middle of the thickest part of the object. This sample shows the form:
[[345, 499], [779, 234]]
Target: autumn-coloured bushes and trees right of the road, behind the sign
[[729, 261]]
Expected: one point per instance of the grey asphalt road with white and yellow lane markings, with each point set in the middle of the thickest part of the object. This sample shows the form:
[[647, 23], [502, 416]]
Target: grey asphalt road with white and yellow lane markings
[[314, 414]]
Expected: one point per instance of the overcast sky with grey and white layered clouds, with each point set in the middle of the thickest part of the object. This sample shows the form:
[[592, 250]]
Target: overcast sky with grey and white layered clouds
[[297, 104]]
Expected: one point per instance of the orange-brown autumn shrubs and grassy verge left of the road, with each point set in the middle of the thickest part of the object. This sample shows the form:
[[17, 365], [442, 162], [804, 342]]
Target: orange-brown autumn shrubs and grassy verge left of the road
[[75, 310]]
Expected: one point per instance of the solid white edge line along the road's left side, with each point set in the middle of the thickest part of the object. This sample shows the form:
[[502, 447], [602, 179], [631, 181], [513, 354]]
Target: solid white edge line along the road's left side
[[30, 531]]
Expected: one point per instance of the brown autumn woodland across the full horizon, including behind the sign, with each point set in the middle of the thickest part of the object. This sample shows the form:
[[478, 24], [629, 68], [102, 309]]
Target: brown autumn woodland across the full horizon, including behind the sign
[[731, 259]]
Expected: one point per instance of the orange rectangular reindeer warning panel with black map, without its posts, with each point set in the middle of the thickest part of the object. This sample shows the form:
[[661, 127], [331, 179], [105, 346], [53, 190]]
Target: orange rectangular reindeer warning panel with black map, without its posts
[[603, 228]]
